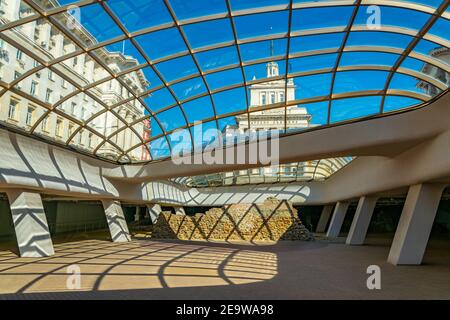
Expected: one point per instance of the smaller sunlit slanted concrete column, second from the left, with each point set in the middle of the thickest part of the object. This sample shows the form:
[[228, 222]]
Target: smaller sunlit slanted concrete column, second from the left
[[116, 221]]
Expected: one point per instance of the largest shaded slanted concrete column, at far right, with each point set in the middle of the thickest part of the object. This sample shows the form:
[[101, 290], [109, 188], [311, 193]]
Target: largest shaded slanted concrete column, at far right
[[416, 221]]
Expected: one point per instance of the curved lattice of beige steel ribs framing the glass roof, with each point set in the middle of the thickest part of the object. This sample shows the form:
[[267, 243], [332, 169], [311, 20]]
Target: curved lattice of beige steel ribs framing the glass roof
[[52, 15]]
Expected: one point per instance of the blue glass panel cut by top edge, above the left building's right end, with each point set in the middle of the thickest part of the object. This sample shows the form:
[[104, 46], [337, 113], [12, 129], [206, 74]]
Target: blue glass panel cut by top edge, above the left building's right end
[[134, 14]]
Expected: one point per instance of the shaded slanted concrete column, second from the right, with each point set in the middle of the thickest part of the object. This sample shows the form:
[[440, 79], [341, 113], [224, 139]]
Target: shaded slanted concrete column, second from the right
[[361, 221]]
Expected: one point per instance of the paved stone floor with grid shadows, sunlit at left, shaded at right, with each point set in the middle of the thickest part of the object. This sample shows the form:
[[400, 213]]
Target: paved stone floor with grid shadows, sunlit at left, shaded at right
[[200, 270]]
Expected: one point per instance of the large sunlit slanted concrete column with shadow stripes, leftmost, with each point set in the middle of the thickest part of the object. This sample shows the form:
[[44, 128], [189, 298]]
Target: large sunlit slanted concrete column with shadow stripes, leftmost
[[30, 224]]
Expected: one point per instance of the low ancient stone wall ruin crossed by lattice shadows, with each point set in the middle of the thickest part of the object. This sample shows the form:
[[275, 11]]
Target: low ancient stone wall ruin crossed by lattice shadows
[[272, 220]]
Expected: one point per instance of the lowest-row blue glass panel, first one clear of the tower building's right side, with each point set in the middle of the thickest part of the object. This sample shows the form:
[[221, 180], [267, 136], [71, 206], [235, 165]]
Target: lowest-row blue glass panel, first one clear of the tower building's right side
[[346, 109]]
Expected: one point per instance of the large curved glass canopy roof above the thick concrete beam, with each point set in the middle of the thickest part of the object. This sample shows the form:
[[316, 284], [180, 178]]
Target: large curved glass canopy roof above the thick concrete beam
[[131, 81]]
